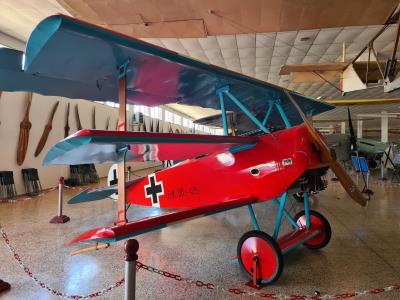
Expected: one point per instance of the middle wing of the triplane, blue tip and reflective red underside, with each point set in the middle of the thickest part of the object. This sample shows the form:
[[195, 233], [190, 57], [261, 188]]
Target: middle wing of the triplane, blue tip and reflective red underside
[[100, 146]]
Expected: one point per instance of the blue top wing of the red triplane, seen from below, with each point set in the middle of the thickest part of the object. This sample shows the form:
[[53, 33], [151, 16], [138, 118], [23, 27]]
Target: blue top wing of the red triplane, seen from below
[[71, 58]]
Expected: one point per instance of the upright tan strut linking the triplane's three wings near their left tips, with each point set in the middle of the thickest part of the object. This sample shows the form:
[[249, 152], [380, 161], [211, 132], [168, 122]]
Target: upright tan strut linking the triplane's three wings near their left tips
[[121, 217]]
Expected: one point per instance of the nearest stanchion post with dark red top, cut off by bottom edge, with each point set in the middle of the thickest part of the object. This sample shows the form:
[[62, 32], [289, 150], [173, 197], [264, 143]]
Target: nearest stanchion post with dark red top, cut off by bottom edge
[[131, 248]]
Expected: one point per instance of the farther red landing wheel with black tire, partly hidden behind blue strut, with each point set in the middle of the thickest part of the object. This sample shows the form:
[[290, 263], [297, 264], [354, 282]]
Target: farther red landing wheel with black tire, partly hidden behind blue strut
[[317, 221]]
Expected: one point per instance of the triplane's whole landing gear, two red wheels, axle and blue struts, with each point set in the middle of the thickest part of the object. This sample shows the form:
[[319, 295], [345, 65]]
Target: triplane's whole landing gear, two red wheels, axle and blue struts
[[261, 256]]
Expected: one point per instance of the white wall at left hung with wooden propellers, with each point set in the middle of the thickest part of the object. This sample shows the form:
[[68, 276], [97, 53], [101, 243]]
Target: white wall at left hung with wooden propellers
[[12, 110]]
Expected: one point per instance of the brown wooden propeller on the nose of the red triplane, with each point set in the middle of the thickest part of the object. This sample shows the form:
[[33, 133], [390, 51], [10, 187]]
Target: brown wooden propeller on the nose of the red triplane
[[327, 157]]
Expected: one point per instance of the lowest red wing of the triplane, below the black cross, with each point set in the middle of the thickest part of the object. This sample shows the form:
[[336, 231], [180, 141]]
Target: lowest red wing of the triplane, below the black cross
[[116, 233]]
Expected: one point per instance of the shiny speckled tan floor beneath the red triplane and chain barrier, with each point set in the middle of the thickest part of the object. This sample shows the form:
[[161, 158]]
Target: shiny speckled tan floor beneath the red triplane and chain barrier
[[363, 253]]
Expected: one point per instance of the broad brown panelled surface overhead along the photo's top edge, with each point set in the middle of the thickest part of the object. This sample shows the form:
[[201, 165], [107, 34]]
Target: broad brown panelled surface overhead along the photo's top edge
[[192, 18]]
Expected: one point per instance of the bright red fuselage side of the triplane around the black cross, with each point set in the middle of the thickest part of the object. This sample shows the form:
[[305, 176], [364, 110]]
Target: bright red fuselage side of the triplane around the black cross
[[280, 159]]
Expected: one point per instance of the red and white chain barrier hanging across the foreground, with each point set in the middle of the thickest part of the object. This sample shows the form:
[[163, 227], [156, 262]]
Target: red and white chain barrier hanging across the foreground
[[196, 283]]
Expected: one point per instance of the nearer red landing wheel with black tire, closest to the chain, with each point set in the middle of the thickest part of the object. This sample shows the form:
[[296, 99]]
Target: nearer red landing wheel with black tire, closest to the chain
[[270, 261]]
